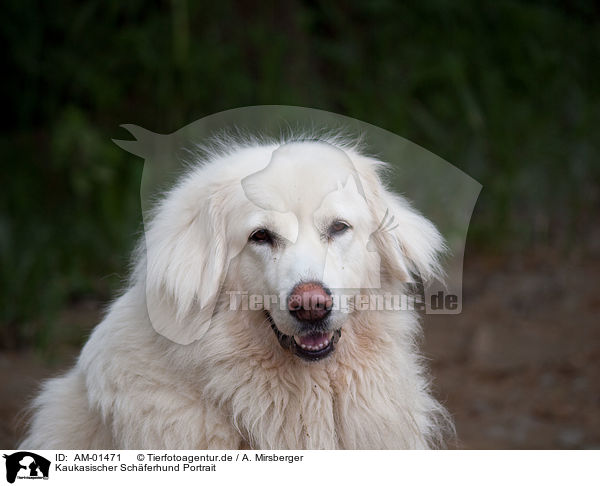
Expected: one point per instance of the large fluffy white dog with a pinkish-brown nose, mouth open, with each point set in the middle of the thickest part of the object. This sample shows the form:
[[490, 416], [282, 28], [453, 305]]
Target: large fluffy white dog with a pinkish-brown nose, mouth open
[[180, 362]]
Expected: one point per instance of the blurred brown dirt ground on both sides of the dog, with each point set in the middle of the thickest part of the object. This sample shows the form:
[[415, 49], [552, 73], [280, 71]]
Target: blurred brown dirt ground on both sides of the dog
[[517, 369]]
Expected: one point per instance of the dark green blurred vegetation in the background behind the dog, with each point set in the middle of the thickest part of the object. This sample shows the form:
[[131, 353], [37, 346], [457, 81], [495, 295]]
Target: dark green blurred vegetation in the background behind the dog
[[507, 91]]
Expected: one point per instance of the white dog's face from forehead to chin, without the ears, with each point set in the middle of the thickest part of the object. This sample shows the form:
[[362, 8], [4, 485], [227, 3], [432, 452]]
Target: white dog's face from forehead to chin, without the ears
[[307, 228]]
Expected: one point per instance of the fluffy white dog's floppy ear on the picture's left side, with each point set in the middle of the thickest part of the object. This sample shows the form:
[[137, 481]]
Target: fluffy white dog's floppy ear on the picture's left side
[[186, 262]]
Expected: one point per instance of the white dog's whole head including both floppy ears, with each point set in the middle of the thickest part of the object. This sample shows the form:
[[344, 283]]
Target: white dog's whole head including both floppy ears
[[298, 229]]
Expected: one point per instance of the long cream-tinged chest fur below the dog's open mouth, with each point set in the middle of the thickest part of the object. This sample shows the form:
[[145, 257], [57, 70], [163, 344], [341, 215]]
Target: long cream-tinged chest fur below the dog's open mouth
[[361, 397]]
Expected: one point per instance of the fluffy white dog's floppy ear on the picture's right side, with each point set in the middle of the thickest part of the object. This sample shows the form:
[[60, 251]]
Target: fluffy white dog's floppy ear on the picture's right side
[[409, 244]]
